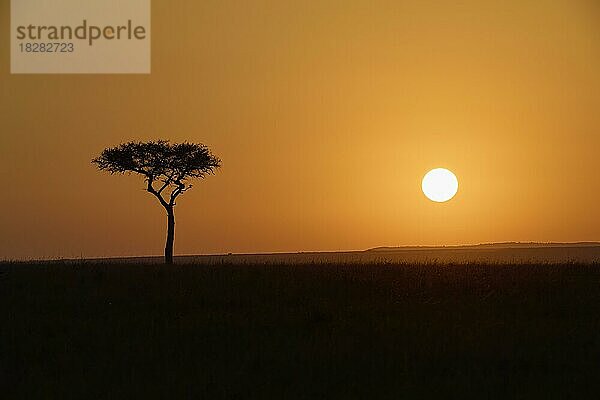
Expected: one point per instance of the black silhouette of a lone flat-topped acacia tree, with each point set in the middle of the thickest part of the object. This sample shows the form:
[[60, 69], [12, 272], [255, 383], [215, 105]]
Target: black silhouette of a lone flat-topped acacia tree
[[168, 166]]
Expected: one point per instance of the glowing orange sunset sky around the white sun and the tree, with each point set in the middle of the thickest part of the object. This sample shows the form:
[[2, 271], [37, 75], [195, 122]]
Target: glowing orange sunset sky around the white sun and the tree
[[326, 115]]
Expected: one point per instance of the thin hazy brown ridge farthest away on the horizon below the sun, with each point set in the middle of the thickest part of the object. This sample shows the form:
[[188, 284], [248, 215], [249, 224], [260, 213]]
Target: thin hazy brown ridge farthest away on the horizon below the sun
[[499, 245]]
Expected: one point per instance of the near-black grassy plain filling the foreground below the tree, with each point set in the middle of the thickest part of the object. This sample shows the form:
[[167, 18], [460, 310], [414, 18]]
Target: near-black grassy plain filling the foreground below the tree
[[387, 330]]
